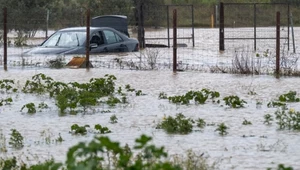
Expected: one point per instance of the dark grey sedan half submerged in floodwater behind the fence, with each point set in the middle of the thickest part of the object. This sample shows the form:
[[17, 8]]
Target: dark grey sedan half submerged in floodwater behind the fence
[[73, 41]]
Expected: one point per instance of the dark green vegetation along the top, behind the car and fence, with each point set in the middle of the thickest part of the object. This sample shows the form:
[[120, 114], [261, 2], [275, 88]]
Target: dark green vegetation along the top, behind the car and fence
[[28, 16]]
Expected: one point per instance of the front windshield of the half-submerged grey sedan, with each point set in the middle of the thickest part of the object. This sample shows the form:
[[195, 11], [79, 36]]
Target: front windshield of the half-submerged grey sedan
[[66, 39]]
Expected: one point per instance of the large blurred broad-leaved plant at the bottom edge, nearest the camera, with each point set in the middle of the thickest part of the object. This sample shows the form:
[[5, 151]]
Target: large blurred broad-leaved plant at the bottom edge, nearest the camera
[[91, 155]]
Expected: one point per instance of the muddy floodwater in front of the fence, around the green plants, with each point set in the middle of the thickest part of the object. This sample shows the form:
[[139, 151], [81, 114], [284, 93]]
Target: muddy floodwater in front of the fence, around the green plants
[[255, 146]]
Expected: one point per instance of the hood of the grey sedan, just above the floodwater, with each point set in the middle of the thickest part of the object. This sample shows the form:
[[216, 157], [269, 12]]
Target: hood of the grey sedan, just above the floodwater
[[55, 50]]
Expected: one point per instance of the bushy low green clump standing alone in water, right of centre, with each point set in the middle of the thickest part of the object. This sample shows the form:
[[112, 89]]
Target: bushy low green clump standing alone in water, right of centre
[[179, 124]]
